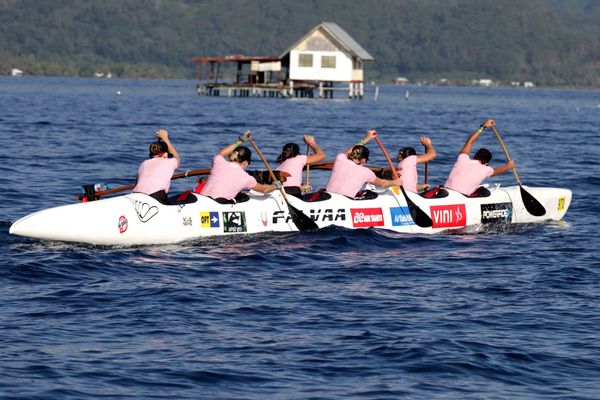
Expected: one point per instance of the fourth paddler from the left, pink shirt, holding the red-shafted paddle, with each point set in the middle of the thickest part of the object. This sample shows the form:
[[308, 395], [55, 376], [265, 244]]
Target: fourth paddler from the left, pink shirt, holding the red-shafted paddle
[[349, 173]]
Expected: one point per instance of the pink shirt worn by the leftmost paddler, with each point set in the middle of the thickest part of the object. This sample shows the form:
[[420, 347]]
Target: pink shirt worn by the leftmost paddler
[[155, 174]]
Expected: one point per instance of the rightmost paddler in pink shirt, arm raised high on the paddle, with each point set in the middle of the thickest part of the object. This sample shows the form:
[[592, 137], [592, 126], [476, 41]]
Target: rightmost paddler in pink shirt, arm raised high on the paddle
[[467, 174]]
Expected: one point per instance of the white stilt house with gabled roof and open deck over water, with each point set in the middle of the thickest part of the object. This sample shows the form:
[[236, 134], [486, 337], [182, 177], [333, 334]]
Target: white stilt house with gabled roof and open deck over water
[[324, 61]]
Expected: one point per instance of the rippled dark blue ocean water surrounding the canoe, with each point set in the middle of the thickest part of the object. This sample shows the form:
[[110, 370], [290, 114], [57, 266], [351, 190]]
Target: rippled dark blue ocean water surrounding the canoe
[[333, 314]]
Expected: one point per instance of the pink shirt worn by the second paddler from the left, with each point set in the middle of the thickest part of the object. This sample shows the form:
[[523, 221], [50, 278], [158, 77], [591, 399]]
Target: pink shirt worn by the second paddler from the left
[[226, 179]]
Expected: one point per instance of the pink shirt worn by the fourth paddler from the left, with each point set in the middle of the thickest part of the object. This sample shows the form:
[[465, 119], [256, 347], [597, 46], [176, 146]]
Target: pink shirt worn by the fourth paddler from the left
[[347, 177]]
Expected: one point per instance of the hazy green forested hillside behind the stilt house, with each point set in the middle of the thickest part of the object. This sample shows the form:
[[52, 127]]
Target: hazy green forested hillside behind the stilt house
[[549, 42]]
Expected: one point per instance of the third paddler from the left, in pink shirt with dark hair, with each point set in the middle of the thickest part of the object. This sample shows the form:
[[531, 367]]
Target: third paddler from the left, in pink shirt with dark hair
[[291, 161]]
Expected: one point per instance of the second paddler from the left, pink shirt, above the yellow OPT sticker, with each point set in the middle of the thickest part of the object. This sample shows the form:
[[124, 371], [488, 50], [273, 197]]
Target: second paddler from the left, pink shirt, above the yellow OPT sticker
[[228, 176]]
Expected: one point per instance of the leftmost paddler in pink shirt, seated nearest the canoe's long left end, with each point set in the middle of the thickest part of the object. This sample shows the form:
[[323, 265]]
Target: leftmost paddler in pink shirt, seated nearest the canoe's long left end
[[154, 175]]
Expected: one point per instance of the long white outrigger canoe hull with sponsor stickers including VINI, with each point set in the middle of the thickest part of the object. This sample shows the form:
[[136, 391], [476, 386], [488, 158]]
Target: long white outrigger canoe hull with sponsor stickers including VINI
[[137, 219]]
